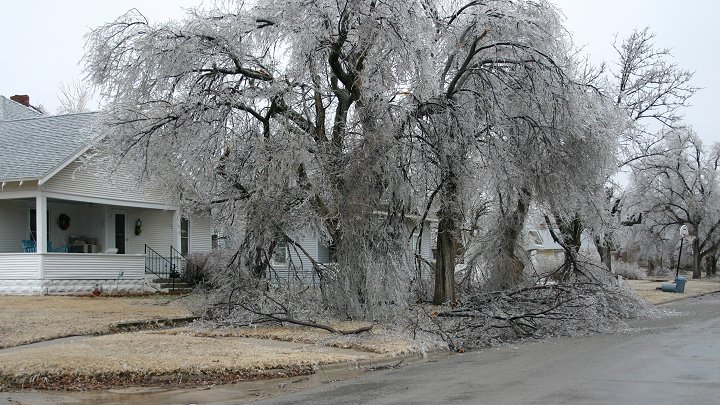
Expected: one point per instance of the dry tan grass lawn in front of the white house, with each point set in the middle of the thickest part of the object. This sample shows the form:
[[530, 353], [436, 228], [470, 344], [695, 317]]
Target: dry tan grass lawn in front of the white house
[[177, 356]]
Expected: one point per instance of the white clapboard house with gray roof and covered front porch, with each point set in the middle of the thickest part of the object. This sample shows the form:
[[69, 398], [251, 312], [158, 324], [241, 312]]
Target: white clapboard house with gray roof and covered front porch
[[63, 229]]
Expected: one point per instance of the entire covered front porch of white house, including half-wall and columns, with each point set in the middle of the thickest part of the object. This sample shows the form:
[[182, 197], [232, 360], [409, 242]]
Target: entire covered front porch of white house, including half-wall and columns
[[86, 244]]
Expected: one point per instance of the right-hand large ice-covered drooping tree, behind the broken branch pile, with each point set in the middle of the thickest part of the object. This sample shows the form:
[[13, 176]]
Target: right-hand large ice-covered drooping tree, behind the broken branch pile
[[510, 120]]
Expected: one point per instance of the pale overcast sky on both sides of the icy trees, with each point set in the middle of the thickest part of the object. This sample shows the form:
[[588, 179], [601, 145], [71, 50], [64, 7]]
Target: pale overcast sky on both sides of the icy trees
[[42, 41]]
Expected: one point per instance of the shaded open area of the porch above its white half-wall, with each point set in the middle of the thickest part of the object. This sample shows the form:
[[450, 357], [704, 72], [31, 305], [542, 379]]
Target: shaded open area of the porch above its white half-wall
[[85, 226]]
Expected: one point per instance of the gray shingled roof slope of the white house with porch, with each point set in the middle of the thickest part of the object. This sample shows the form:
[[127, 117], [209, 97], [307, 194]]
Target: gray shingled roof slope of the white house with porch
[[30, 149]]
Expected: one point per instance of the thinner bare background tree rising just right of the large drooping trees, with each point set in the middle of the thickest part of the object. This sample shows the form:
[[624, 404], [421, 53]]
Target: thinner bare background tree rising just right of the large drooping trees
[[650, 91]]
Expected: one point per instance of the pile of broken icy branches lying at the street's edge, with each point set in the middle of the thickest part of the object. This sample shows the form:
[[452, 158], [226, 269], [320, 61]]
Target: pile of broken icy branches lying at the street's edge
[[569, 309]]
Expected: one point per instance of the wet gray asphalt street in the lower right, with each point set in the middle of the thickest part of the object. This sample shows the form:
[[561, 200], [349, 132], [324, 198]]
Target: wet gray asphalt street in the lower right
[[673, 360]]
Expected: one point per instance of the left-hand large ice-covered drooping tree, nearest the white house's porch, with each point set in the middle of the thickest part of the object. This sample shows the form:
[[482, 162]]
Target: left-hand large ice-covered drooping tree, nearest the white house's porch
[[284, 113]]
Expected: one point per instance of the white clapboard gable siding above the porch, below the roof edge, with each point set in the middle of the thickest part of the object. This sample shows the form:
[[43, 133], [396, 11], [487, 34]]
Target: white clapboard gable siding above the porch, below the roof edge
[[83, 182]]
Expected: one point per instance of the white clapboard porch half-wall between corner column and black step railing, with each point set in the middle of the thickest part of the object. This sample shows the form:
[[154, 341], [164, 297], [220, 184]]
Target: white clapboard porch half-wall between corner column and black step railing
[[80, 266]]
